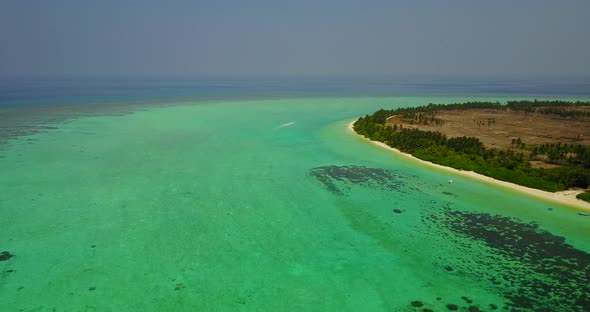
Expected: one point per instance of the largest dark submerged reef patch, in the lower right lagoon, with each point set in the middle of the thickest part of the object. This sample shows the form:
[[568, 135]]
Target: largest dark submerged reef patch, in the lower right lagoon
[[532, 269]]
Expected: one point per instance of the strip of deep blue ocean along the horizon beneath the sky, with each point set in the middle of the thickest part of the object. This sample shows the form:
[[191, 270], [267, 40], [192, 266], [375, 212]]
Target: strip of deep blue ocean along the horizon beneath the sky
[[21, 92]]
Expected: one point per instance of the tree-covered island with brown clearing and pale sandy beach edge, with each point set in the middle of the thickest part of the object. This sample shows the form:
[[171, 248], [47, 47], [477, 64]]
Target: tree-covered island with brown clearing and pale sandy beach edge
[[541, 147]]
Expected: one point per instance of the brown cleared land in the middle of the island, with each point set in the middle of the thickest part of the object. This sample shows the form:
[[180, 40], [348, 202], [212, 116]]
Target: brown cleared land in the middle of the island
[[497, 128]]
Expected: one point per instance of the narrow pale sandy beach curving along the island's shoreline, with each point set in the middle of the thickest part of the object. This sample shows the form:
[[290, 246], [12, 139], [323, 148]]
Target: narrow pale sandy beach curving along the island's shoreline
[[567, 198]]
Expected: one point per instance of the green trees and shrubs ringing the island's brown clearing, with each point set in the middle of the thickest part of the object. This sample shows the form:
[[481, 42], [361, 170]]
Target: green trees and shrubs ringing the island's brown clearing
[[469, 153]]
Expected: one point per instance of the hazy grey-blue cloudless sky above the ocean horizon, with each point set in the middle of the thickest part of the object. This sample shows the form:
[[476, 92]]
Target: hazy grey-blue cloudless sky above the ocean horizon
[[295, 38]]
